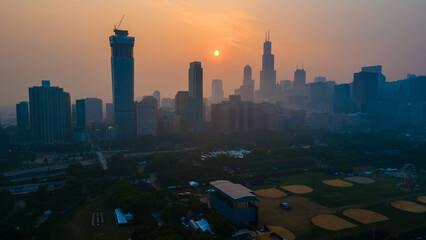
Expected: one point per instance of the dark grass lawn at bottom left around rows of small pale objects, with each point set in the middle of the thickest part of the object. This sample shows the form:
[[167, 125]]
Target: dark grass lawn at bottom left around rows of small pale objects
[[76, 224]]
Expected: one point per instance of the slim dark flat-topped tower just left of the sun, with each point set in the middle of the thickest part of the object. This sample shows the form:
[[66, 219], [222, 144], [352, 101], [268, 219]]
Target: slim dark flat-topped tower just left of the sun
[[195, 93]]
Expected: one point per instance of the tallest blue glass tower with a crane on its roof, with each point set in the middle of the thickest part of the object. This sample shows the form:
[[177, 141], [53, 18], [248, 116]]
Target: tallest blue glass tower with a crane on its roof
[[122, 68]]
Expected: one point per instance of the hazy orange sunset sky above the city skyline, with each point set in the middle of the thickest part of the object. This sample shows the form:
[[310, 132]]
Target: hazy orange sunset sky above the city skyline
[[67, 41]]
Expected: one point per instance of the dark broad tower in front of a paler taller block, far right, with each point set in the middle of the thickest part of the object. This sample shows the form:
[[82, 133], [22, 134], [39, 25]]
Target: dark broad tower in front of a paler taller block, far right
[[364, 91]]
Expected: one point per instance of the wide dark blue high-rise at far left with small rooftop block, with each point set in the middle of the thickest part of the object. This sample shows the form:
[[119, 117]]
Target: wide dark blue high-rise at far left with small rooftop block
[[47, 113]]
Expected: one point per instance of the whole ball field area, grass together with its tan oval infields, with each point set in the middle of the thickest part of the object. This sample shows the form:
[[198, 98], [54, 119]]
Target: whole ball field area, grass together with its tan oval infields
[[344, 205]]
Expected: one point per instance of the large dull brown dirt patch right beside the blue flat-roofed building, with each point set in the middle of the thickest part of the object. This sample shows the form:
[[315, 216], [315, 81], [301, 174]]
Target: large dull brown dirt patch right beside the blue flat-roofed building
[[296, 219]]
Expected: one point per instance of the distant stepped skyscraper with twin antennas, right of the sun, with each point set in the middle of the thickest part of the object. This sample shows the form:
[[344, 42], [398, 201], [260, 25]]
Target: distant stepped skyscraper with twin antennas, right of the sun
[[268, 75]]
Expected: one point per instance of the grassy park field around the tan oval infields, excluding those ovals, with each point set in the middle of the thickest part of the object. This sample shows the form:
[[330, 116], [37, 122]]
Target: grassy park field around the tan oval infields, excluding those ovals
[[332, 200]]
